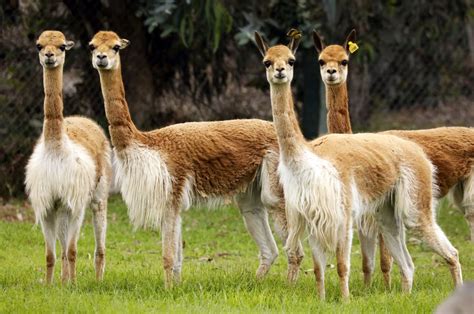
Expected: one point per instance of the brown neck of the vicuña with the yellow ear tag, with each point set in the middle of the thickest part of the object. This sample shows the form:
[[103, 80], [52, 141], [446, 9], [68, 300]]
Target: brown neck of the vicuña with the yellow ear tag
[[337, 103]]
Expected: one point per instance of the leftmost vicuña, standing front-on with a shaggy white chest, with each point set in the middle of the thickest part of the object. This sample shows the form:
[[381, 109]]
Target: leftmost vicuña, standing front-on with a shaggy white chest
[[57, 132]]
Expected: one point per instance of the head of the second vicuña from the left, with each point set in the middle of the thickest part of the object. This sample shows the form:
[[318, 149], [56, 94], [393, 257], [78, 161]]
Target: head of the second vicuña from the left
[[105, 47]]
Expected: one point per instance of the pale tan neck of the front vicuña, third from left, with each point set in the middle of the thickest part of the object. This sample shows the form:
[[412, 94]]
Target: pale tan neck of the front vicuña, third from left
[[290, 138]]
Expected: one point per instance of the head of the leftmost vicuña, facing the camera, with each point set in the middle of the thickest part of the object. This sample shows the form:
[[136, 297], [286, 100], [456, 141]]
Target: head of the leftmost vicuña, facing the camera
[[51, 48]]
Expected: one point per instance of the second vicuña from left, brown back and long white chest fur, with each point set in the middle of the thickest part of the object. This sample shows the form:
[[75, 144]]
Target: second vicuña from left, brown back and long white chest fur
[[165, 171]]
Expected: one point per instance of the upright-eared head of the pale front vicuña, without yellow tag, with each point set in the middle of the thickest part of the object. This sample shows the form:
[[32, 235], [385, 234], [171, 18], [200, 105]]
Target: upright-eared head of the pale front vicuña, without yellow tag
[[278, 60]]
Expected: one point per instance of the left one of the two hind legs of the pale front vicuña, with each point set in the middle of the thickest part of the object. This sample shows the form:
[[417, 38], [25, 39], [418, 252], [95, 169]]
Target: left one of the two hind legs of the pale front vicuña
[[393, 234]]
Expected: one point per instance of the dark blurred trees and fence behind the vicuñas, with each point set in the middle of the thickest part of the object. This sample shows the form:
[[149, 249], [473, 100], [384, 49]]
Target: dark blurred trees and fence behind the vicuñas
[[195, 60]]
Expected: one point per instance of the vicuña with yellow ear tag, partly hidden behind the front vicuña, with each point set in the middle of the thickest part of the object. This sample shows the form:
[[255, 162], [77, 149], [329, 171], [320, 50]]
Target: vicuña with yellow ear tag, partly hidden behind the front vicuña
[[450, 149]]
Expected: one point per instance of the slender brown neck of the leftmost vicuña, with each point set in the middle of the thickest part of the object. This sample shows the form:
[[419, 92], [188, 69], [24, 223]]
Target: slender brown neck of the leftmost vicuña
[[53, 104]]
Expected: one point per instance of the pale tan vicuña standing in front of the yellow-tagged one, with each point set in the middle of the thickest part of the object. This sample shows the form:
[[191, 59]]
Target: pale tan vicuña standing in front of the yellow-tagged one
[[369, 167]]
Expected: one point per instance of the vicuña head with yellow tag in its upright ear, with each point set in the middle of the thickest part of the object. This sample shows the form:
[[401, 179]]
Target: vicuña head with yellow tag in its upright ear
[[333, 59]]
